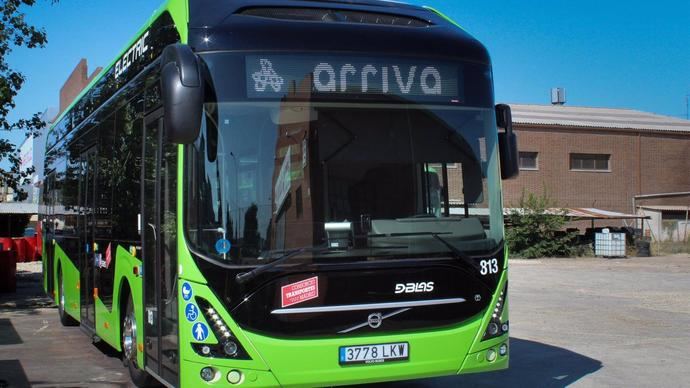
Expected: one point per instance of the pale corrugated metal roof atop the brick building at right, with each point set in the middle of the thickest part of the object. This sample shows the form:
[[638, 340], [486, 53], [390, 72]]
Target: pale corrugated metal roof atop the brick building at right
[[575, 116]]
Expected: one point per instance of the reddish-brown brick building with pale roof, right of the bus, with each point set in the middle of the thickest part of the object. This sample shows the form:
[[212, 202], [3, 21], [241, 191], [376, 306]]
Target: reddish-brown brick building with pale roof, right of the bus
[[601, 158]]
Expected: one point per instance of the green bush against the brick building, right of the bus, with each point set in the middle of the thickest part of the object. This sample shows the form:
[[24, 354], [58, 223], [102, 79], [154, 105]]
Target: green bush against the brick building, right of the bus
[[535, 229]]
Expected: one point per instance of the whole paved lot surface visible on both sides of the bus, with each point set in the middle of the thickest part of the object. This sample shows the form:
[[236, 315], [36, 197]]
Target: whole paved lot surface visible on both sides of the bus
[[579, 322]]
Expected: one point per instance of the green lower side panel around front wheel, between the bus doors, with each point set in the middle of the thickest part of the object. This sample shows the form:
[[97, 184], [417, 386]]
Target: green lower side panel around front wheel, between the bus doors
[[108, 322]]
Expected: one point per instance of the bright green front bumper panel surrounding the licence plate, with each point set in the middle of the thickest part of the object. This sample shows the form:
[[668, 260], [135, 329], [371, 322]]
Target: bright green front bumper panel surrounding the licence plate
[[313, 362]]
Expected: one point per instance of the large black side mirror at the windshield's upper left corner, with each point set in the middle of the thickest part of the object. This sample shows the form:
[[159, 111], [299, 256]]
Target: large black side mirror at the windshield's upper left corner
[[182, 94]]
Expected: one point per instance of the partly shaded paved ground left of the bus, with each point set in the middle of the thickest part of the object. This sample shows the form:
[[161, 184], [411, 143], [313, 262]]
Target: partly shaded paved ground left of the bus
[[35, 350]]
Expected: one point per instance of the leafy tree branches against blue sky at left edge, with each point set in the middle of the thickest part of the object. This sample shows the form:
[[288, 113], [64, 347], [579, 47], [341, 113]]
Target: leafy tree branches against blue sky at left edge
[[15, 32]]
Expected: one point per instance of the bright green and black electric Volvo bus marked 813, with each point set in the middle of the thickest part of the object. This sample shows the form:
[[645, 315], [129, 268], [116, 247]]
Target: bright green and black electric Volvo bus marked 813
[[285, 193]]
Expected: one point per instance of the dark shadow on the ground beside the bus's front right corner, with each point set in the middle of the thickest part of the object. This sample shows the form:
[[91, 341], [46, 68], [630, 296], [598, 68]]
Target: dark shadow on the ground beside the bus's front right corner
[[532, 364]]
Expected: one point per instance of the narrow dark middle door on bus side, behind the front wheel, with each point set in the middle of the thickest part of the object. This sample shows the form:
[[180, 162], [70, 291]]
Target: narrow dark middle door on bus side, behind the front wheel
[[89, 161]]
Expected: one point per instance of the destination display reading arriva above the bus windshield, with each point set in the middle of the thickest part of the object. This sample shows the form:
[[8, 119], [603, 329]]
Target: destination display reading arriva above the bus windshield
[[273, 76]]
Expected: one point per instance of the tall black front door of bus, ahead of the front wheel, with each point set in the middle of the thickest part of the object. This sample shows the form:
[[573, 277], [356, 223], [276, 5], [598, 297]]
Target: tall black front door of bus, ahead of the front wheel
[[159, 246]]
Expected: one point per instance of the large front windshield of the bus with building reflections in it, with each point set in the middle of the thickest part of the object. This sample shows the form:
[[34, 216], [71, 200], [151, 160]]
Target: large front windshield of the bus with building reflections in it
[[365, 176]]
